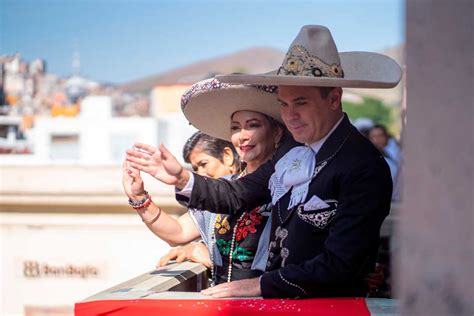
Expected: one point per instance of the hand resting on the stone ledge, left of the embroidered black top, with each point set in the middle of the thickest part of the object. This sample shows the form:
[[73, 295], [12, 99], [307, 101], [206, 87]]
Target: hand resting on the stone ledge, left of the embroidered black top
[[195, 252]]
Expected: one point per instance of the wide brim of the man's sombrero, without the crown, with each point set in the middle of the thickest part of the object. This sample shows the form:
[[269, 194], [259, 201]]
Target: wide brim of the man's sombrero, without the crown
[[361, 70]]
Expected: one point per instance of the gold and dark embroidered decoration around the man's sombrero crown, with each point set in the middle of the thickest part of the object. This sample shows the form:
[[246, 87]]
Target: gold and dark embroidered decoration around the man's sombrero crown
[[299, 62]]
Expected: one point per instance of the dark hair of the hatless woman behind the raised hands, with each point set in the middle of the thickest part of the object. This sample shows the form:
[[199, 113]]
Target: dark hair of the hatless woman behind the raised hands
[[211, 146]]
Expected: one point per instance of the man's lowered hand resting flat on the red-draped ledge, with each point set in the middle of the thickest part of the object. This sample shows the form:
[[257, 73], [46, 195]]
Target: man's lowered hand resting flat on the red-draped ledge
[[246, 288]]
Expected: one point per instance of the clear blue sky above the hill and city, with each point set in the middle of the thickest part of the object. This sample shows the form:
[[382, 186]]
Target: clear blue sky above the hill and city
[[124, 40]]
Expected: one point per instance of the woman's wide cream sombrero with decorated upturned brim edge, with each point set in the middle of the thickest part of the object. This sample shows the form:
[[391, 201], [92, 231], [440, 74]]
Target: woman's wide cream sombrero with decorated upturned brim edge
[[209, 104]]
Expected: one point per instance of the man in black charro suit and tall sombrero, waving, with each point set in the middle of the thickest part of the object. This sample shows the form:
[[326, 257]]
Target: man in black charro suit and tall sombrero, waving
[[330, 190]]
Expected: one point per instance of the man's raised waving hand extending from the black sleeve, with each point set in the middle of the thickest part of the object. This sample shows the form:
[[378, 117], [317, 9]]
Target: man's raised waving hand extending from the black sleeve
[[159, 163]]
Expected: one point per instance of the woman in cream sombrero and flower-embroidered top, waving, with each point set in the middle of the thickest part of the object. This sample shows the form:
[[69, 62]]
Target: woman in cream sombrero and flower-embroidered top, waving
[[249, 118]]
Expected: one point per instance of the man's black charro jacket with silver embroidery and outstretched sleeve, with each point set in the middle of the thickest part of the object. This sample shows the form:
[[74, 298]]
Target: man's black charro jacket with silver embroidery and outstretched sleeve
[[318, 252]]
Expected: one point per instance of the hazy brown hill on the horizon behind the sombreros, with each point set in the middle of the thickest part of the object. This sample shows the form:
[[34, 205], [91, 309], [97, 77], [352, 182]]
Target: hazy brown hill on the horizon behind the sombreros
[[252, 60]]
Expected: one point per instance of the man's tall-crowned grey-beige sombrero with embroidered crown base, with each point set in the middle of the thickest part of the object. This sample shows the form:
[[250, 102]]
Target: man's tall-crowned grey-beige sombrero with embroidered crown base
[[313, 60]]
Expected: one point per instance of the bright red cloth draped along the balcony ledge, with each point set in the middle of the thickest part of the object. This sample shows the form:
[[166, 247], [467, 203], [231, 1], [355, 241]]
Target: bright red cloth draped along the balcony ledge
[[237, 307]]
